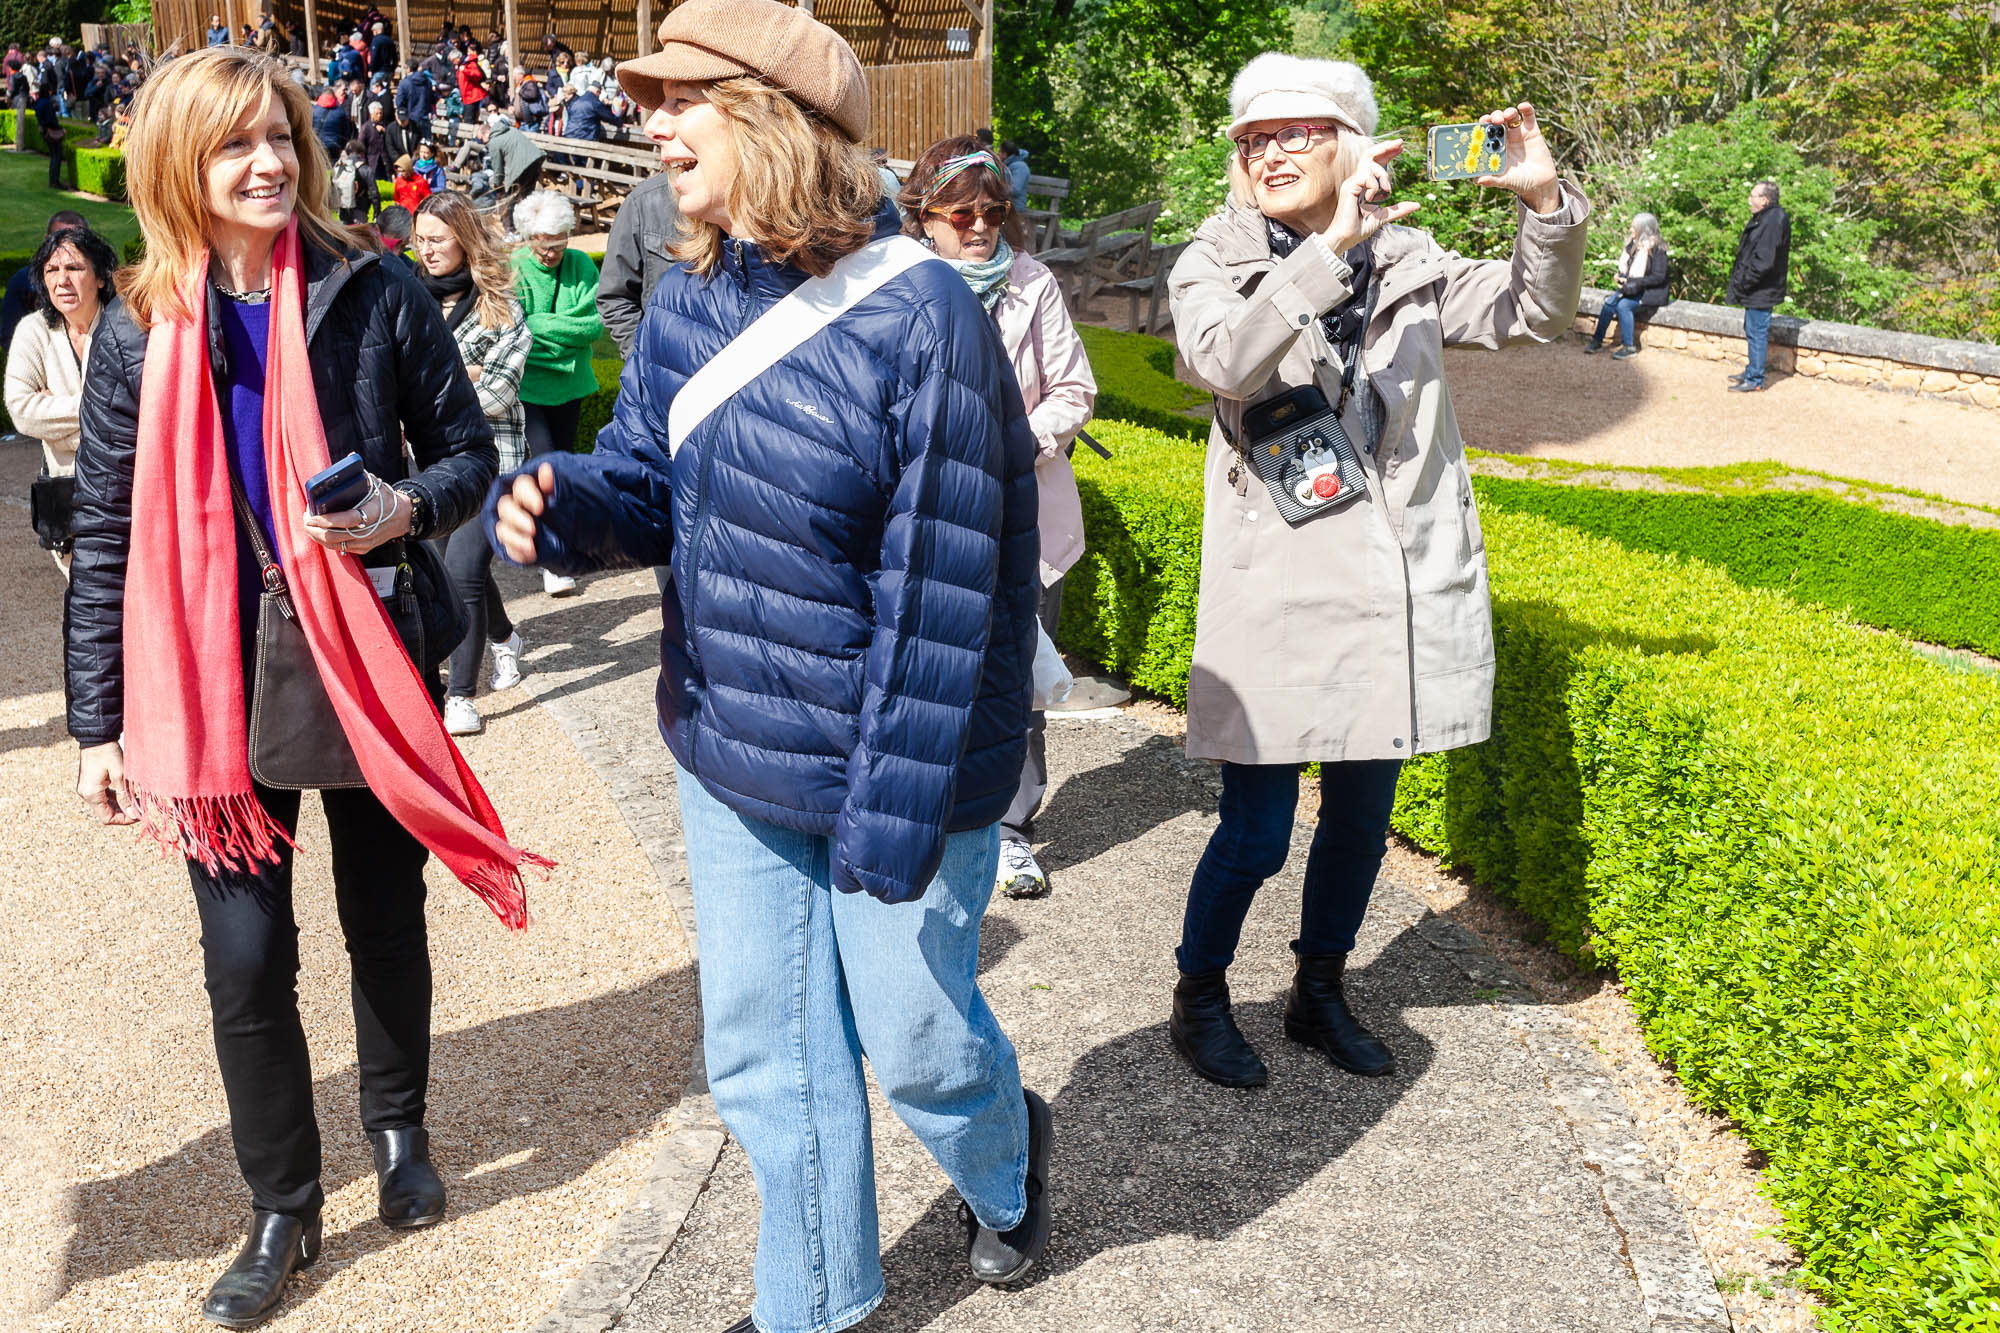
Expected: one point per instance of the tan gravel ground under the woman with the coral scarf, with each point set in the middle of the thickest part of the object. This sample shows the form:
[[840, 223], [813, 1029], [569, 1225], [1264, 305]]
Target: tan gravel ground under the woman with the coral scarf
[[557, 1060]]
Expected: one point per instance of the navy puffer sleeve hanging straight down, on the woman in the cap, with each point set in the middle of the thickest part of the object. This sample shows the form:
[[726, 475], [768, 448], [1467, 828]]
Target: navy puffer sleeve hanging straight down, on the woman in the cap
[[935, 605]]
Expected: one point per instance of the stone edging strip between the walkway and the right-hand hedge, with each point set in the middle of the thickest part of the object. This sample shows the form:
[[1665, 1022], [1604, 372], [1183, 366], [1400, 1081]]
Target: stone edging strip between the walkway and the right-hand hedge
[[1659, 1244]]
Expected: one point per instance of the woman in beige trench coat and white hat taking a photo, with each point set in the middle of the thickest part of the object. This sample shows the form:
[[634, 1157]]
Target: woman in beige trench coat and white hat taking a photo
[[1361, 635]]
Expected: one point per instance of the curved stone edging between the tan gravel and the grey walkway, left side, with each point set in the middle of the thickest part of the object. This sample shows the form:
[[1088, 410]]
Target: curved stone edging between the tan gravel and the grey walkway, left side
[[695, 1138]]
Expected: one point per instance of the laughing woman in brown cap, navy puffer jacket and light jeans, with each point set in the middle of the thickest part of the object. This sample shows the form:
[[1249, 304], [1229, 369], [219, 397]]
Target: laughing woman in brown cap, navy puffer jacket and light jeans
[[847, 655]]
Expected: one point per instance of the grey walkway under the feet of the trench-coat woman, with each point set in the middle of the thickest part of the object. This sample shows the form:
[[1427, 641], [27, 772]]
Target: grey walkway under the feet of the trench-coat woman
[[1477, 1190]]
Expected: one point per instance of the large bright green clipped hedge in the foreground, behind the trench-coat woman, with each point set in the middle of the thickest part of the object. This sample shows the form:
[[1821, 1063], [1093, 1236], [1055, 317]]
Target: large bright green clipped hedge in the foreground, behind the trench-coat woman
[[1777, 826]]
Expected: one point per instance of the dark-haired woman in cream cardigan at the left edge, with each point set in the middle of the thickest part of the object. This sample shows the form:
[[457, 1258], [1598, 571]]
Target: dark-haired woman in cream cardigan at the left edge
[[45, 367]]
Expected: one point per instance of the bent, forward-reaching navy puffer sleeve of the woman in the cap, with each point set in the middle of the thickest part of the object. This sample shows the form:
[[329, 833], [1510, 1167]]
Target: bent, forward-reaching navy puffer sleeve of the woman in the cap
[[609, 509]]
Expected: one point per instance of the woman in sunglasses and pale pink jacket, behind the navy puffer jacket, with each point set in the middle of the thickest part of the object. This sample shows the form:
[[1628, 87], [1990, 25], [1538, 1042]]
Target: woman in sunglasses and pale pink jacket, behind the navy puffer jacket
[[957, 203]]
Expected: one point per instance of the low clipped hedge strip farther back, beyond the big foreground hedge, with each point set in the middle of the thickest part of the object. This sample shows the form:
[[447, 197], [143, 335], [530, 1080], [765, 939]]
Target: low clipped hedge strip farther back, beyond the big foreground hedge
[[1917, 577]]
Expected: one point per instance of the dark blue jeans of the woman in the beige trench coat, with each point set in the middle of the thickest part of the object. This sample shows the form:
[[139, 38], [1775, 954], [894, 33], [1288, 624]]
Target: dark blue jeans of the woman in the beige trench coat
[[1255, 840]]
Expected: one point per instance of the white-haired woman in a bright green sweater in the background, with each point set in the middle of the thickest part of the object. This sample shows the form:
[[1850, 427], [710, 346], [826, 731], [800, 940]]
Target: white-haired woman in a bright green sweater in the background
[[559, 291]]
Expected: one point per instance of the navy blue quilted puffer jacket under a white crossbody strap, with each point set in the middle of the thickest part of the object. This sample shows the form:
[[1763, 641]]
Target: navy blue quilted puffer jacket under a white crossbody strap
[[849, 635]]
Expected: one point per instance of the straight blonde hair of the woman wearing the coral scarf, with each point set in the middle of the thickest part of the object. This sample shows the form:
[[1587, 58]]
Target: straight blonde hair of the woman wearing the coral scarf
[[181, 119]]
